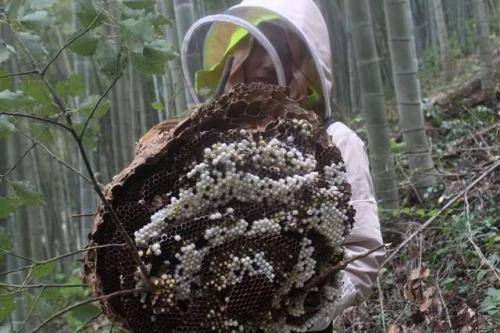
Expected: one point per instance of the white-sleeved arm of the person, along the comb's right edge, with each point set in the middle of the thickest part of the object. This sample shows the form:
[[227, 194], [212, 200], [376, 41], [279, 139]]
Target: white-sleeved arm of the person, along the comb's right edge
[[359, 275]]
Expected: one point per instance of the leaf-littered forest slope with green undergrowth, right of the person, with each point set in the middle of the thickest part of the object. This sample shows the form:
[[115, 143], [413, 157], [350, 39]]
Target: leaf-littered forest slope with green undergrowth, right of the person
[[447, 278]]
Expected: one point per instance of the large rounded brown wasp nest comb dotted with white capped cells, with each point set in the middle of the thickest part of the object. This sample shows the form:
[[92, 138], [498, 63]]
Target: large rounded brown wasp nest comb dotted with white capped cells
[[234, 212]]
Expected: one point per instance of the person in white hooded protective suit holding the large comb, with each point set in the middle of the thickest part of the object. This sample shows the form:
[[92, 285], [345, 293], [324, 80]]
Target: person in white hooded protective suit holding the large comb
[[286, 42]]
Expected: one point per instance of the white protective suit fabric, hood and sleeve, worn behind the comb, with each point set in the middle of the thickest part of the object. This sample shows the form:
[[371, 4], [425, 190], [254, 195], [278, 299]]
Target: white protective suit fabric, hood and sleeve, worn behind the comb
[[305, 19]]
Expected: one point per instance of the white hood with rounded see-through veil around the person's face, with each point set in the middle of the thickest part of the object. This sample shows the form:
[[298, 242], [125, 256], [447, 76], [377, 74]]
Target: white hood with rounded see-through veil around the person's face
[[273, 41]]
